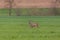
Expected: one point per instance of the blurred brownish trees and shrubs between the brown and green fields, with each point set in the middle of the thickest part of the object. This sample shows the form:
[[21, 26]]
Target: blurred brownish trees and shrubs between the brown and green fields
[[35, 11]]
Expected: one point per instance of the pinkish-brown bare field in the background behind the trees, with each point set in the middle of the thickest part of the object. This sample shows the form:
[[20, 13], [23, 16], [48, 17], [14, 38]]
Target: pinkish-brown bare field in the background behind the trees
[[29, 3]]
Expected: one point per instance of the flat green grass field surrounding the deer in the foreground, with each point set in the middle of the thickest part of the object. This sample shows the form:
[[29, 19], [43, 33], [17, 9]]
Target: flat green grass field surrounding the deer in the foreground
[[17, 28]]
